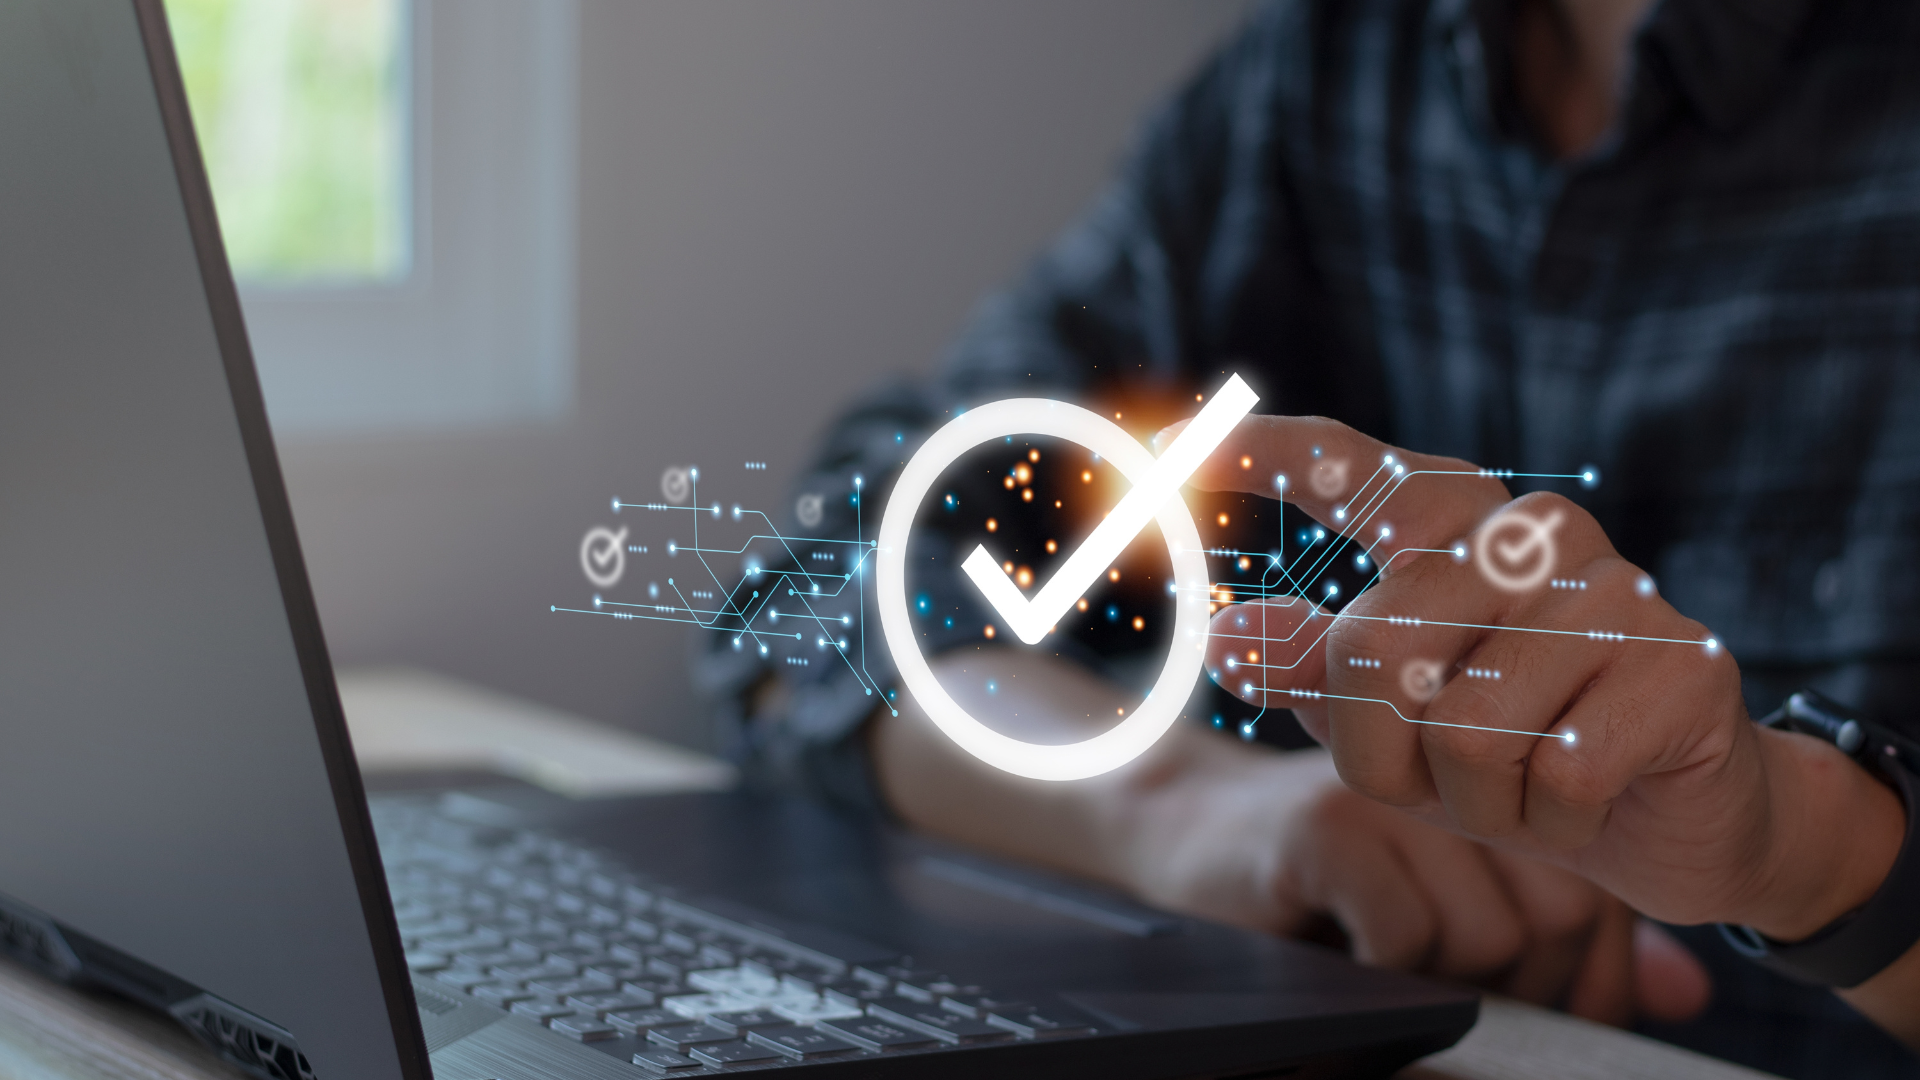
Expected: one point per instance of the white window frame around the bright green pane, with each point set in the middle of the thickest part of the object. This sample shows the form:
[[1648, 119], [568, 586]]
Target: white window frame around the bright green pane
[[479, 328]]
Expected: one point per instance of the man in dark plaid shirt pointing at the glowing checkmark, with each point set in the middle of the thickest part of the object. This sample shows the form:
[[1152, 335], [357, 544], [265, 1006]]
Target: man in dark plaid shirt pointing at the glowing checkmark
[[1673, 245]]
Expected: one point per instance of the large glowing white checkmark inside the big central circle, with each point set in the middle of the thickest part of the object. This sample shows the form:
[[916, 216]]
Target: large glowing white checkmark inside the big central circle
[[1032, 620]]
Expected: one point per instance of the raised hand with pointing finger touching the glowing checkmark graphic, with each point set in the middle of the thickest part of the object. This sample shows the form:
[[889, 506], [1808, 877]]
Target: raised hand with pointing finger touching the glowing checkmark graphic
[[1650, 779]]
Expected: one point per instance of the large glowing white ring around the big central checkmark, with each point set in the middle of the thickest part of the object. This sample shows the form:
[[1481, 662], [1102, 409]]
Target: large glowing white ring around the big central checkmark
[[1163, 706]]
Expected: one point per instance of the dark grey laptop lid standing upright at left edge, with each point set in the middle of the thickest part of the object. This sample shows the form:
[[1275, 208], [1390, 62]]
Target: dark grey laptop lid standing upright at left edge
[[164, 783]]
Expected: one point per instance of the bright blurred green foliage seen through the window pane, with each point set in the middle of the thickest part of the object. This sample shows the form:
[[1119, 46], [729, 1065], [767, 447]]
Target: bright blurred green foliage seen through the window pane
[[300, 110]]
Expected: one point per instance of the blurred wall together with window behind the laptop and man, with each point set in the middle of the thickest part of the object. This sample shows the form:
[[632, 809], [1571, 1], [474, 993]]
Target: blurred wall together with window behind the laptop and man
[[506, 260]]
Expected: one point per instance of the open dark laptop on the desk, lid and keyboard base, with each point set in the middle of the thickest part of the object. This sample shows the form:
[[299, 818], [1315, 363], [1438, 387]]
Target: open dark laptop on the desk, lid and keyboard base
[[187, 827]]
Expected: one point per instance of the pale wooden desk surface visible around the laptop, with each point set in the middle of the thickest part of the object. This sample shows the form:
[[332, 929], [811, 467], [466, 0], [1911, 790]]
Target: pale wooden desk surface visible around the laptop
[[414, 722]]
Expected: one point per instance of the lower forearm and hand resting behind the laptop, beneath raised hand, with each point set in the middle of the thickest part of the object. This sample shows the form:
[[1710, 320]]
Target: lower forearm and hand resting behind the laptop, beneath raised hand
[[1276, 843]]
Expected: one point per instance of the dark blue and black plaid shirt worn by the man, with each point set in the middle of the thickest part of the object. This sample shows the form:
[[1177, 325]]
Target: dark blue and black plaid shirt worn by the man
[[1719, 308]]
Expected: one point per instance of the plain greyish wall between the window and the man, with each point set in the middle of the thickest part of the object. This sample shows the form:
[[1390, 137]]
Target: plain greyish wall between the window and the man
[[780, 203]]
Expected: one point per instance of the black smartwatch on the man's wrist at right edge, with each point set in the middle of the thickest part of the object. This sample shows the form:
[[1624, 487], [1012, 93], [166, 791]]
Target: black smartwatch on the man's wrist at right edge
[[1865, 941]]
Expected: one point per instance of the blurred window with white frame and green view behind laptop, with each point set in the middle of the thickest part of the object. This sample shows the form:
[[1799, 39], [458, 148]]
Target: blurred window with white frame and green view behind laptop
[[396, 193]]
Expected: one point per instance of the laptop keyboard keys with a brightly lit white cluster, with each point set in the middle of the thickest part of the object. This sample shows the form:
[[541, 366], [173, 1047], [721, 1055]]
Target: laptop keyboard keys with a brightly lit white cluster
[[581, 945]]
